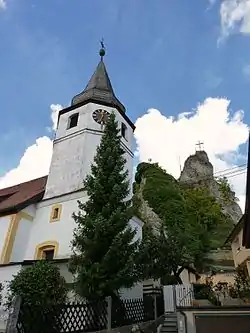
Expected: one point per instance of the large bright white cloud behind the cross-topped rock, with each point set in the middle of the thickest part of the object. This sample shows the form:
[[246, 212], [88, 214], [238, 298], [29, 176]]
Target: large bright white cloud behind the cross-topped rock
[[173, 140]]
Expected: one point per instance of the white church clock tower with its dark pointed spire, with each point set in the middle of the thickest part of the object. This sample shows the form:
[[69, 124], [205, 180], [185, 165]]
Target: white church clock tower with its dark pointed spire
[[79, 131]]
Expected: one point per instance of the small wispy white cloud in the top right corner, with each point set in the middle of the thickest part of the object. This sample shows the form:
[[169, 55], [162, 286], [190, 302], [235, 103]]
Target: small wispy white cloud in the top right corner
[[235, 16]]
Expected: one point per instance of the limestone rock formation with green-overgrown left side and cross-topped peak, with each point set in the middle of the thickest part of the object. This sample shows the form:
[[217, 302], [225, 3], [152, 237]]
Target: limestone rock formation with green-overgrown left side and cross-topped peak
[[158, 196]]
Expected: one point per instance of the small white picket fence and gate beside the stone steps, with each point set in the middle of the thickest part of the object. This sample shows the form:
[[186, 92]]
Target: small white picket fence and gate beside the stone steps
[[179, 295]]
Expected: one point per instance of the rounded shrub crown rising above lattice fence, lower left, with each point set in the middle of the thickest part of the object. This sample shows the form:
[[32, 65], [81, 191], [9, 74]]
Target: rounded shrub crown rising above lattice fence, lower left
[[39, 285]]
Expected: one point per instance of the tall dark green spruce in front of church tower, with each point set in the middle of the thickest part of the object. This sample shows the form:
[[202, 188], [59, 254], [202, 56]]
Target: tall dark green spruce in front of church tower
[[104, 249]]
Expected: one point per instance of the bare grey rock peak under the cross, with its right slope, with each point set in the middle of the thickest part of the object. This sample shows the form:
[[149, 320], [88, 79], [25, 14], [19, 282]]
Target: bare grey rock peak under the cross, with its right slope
[[198, 171]]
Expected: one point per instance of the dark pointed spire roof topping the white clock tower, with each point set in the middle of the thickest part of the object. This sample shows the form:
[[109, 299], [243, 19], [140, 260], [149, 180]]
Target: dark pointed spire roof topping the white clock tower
[[99, 88]]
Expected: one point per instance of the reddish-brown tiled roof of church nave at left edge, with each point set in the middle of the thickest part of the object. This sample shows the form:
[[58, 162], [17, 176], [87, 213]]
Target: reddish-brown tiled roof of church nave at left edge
[[17, 197]]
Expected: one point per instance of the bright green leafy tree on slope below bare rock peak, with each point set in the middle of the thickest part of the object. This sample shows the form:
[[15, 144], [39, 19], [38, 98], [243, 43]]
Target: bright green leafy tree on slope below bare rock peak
[[203, 219]]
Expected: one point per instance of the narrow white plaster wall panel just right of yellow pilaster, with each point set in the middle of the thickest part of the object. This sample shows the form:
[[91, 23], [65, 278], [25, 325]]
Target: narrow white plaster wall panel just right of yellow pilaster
[[21, 240]]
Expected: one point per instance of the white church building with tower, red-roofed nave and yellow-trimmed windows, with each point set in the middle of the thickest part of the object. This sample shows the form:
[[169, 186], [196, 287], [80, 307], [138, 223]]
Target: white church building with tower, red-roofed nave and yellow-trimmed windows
[[36, 216]]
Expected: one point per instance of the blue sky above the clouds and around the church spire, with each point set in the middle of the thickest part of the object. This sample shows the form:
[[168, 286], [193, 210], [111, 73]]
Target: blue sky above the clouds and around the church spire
[[160, 54]]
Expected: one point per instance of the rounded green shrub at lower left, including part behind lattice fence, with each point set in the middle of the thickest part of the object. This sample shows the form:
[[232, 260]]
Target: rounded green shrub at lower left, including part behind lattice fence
[[42, 289]]
